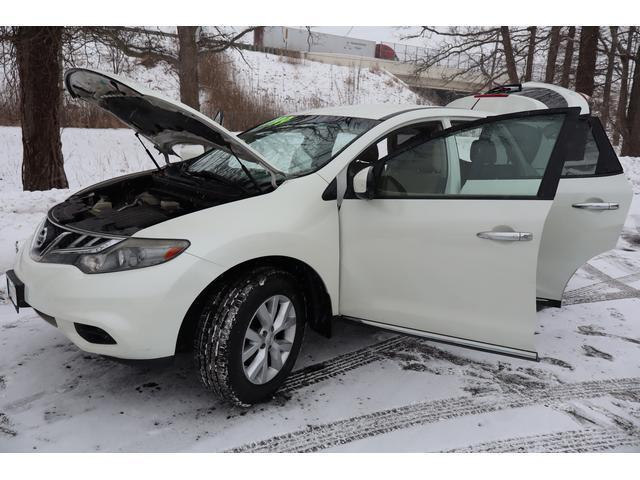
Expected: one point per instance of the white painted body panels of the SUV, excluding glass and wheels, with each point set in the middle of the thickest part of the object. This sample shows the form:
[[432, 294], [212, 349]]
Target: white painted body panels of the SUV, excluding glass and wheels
[[414, 265]]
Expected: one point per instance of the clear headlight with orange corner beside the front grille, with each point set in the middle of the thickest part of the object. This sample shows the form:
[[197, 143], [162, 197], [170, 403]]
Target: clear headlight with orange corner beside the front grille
[[123, 255]]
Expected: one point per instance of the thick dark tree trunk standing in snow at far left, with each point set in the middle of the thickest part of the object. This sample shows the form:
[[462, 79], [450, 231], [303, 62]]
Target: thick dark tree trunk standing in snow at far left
[[38, 55]]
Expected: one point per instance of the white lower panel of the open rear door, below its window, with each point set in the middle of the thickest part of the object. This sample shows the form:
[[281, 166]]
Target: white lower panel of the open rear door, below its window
[[572, 236]]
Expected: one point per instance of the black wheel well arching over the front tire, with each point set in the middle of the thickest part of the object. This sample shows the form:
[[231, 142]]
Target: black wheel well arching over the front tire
[[317, 299]]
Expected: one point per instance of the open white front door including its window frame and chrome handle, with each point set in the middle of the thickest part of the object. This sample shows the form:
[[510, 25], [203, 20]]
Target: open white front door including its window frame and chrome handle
[[453, 265]]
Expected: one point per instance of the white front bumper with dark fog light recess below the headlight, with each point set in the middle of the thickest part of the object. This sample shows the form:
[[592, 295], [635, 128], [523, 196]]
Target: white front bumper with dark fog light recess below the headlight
[[142, 310]]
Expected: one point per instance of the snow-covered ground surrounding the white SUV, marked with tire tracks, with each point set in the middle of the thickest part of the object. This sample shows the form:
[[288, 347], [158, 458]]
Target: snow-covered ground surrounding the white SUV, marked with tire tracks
[[363, 390]]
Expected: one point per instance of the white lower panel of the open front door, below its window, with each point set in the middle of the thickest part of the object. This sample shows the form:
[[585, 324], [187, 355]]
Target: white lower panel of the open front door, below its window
[[419, 264]]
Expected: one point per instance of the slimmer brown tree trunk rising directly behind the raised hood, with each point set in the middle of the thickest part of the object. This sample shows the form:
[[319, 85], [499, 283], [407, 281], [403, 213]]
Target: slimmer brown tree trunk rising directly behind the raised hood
[[188, 67]]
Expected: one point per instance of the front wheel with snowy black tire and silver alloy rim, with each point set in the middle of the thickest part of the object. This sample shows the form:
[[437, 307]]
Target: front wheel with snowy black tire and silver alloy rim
[[221, 337]]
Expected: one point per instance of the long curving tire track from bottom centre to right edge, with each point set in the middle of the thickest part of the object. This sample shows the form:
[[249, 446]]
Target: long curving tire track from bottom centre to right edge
[[318, 437]]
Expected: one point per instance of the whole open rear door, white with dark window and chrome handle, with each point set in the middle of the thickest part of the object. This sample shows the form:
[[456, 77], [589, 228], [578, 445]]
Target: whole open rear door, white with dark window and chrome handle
[[583, 222]]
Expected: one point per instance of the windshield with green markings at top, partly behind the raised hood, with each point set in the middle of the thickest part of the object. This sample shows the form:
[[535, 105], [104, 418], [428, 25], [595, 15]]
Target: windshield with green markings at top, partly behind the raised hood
[[296, 144]]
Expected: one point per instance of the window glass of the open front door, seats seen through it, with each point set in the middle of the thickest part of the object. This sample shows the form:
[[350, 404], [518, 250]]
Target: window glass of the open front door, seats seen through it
[[505, 157]]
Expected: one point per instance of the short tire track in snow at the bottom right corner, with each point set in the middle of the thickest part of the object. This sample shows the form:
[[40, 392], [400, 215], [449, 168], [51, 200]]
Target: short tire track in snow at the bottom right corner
[[573, 441]]
